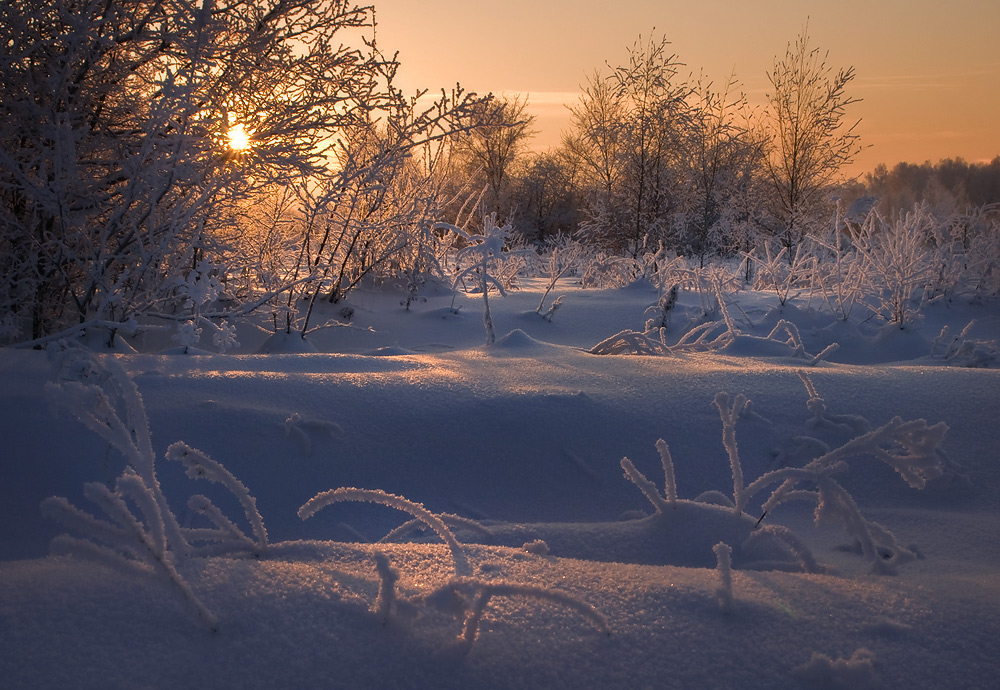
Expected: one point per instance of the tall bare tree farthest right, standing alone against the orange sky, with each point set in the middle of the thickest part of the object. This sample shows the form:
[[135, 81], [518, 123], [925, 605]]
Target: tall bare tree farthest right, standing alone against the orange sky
[[810, 139]]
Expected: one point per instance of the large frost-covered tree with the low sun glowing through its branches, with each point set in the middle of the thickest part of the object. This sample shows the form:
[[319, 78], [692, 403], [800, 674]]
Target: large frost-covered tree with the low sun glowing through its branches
[[118, 176]]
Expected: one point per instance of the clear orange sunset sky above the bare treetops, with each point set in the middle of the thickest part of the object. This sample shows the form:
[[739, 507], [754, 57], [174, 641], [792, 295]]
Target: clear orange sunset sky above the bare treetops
[[928, 71]]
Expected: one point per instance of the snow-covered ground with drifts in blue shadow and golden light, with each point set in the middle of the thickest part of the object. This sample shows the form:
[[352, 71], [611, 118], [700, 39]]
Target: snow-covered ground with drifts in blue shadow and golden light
[[562, 573]]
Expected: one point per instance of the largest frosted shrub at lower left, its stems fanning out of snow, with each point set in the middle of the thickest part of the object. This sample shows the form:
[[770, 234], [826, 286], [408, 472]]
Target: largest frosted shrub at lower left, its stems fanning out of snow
[[139, 530]]
